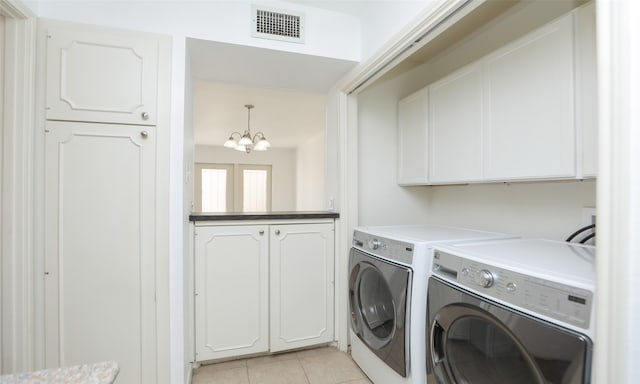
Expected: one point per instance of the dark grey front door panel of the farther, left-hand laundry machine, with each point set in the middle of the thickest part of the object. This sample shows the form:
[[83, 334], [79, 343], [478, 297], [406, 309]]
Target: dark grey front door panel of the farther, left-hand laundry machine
[[378, 294]]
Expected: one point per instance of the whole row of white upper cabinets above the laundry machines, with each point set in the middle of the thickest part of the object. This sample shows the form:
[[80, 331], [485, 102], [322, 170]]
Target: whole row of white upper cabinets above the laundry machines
[[527, 111]]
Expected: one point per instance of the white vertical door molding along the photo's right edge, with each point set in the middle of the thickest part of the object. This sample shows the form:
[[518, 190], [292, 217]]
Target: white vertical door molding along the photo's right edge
[[618, 189]]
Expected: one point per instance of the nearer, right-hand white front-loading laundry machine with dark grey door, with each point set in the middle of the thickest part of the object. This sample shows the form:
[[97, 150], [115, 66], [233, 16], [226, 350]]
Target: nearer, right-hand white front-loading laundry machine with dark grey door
[[511, 311]]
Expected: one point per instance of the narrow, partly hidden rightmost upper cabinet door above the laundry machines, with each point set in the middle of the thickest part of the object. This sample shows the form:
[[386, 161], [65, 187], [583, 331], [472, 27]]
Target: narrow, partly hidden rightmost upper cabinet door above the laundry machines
[[586, 89]]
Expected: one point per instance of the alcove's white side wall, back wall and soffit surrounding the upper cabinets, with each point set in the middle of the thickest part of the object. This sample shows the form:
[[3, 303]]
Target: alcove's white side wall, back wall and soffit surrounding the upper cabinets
[[541, 209]]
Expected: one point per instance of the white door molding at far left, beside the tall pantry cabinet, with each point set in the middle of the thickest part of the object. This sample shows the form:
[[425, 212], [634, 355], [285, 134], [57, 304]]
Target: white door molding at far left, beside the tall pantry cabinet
[[17, 254]]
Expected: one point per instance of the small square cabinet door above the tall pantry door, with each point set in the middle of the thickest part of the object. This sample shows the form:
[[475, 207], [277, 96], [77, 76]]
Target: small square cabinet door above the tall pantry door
[[103, 75]]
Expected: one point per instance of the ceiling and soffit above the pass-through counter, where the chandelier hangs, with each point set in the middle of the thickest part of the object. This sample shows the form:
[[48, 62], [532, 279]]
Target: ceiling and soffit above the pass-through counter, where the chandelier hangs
[[287, 89]]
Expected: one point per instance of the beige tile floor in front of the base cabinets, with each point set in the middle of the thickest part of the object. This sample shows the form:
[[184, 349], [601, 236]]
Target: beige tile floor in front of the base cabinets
[[314, 366]]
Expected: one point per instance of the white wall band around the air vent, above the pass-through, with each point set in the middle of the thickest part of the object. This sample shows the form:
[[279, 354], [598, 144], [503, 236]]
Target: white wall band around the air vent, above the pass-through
[[328, 34]]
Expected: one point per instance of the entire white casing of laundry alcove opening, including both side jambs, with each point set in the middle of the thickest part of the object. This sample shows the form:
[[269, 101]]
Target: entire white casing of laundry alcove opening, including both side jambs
[[618, 181]]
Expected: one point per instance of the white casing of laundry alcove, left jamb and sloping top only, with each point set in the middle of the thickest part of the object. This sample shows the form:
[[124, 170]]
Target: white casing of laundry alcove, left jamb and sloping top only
[[411, 38]]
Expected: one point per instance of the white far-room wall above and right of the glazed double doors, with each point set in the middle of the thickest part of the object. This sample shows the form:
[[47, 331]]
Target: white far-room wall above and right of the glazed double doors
[[283, 171]]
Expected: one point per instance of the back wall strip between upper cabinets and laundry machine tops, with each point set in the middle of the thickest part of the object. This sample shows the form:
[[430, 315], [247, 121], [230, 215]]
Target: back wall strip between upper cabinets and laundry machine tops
[[550, 210]]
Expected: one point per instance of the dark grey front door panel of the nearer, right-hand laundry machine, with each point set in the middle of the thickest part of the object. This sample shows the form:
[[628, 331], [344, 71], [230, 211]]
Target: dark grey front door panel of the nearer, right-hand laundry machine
[[473, 340]]
